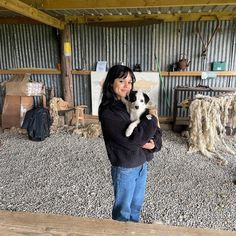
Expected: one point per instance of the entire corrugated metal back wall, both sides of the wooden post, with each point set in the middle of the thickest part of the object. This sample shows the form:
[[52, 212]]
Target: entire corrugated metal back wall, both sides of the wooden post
[[152, 46]]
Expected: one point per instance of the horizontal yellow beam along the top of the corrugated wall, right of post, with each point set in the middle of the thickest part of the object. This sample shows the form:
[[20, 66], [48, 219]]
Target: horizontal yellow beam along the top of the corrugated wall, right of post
[[153, 18]]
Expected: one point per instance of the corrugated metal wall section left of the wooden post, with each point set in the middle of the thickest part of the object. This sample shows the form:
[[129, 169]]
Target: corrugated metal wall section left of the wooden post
[[30, 46]]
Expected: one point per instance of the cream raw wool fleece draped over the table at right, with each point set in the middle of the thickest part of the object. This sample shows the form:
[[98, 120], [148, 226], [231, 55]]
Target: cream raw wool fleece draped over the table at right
[[209, 117]]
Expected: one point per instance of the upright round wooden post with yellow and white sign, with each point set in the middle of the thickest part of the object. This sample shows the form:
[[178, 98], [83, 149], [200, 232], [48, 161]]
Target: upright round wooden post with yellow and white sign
[[67, 83]]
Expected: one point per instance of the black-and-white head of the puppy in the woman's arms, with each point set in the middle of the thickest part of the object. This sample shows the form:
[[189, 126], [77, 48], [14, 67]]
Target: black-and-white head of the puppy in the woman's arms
[[138, 100]]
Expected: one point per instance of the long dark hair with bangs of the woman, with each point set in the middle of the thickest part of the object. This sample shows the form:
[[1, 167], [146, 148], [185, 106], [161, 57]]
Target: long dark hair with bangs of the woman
[[108, 95]]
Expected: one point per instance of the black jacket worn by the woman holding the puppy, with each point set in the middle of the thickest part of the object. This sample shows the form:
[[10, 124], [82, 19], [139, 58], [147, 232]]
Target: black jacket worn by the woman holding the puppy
[[123, 151]]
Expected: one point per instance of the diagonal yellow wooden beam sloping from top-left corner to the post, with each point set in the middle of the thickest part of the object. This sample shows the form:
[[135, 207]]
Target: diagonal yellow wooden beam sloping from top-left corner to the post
[[33, 13]]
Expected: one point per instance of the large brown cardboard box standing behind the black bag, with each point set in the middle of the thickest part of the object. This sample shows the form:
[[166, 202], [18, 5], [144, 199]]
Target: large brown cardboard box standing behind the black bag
[[14, 110]]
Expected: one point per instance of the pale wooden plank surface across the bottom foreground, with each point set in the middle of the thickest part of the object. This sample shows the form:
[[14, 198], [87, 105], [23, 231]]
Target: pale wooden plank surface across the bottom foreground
[[25, 223]]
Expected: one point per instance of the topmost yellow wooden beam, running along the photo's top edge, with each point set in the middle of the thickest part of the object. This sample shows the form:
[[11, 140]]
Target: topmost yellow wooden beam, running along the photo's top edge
[[94, 4]]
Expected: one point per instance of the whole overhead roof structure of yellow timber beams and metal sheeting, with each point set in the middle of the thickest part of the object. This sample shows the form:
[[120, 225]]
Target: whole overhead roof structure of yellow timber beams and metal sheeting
[[111, 12]]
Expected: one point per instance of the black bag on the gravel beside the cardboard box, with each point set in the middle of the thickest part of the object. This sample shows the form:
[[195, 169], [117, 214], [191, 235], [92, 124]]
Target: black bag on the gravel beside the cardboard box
[[37, 121]]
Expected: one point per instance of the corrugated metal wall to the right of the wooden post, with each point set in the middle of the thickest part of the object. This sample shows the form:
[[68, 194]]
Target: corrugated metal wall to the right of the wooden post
[[155, 46]]
